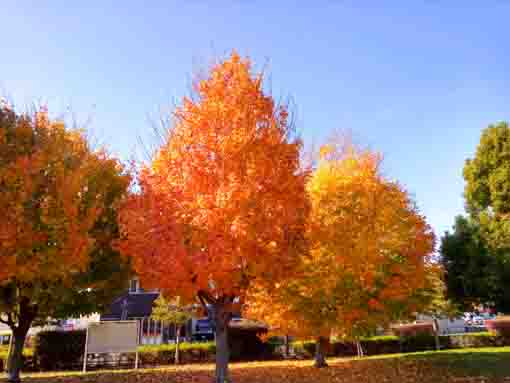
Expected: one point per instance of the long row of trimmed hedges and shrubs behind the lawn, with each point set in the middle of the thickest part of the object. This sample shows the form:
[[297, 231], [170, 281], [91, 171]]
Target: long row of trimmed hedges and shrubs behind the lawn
[[64, 350]]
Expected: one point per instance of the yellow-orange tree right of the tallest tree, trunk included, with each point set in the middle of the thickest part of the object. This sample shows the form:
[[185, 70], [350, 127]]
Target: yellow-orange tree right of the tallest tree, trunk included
[[368, 261]]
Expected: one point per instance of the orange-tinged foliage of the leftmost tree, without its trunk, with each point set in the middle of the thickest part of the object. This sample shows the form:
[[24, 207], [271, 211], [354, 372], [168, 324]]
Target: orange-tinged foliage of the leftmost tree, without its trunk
[[49, 200]]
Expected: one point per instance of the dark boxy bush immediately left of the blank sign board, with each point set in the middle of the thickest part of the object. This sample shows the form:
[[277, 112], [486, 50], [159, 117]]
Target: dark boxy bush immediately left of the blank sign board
[[54, 350]]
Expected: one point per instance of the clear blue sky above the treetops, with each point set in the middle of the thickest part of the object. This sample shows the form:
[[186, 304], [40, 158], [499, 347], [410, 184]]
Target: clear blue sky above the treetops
[[416, 80]]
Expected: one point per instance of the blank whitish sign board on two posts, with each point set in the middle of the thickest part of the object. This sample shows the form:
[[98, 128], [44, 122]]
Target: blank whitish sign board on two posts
[[112, 337]]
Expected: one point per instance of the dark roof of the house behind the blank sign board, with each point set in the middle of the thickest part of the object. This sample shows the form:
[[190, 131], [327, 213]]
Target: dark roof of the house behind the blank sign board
[[137, 305]]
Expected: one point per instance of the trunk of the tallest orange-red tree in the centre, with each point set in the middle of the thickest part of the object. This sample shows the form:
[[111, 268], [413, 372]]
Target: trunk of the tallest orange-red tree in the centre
[[221, 321]]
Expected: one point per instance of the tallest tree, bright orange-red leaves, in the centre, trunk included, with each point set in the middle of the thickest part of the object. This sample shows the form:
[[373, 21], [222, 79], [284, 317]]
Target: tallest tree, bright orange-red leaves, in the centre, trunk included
[[223, 202]]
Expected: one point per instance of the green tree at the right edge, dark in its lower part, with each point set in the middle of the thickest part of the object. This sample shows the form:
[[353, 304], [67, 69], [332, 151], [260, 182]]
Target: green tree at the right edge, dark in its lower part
[[476, 255]]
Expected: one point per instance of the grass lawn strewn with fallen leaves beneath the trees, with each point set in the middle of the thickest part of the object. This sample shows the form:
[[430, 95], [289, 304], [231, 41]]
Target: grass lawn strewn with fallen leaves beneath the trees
[[467, 365]]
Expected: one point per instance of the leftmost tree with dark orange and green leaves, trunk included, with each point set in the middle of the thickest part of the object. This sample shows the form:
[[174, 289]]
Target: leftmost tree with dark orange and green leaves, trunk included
[[58, 202]]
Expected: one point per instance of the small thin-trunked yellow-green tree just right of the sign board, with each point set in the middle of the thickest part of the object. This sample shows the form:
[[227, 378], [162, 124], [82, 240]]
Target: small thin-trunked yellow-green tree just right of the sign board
[[172, 312]]
